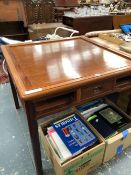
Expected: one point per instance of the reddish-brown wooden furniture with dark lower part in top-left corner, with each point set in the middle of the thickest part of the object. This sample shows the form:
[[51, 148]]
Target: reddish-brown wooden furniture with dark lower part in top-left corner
[[13, 23]]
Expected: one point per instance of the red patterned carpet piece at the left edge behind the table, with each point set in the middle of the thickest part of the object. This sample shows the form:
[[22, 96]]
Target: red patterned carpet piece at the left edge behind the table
[[3, 77]]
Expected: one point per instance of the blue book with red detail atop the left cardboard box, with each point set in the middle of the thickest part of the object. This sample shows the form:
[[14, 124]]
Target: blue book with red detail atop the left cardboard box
[[74, 133]]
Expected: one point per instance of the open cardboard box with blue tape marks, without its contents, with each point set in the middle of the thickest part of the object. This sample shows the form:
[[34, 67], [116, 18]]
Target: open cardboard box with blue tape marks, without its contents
[[117, 143]]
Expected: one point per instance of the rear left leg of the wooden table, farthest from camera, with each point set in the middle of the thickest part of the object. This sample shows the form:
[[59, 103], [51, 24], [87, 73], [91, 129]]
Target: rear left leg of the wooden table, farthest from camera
[[14, 92]]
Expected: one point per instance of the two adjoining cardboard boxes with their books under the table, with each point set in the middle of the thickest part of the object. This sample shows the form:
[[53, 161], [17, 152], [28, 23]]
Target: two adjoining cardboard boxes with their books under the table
[[83, 139]]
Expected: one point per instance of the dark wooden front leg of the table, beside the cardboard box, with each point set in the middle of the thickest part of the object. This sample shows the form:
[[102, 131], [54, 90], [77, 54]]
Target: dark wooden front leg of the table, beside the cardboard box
[[33, 129]]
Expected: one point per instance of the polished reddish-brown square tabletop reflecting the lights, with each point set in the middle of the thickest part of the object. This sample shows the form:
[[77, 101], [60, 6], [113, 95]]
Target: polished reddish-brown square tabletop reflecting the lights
[[41, 68]]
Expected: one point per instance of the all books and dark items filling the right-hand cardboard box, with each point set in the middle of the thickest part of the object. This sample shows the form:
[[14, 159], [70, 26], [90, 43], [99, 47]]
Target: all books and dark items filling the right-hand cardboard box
[[104, 118]]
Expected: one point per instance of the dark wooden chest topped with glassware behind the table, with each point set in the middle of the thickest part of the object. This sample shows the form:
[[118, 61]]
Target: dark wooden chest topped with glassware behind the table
[[95, 23]]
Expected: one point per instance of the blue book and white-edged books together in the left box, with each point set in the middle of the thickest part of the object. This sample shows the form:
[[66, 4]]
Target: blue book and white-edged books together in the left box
[[69, 136]]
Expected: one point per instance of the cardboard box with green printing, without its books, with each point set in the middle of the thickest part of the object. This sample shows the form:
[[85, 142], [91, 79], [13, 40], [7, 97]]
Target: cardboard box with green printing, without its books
[[78, 165]]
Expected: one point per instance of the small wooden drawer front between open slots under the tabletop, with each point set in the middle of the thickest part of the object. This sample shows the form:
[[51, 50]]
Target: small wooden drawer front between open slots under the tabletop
[[97, 89]]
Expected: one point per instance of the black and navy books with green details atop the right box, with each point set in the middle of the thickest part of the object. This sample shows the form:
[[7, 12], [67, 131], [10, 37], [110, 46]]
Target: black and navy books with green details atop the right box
[[108, 121]]
